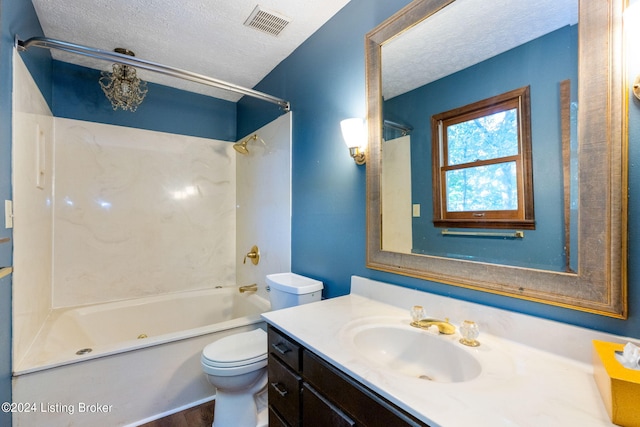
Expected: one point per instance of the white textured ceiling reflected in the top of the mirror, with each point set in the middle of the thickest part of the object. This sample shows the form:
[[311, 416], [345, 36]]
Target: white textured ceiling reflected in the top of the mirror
[[466, 33]]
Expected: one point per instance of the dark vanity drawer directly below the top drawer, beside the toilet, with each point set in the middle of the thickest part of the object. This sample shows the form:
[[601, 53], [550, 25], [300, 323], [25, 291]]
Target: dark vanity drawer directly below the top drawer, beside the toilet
[[284, 391]]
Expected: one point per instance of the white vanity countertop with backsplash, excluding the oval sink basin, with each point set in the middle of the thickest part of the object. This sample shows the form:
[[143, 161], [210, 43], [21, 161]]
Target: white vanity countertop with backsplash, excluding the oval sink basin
[[520, 385]]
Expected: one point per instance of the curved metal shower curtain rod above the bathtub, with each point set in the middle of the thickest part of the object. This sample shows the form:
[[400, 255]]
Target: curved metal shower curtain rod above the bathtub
[[48, 43]]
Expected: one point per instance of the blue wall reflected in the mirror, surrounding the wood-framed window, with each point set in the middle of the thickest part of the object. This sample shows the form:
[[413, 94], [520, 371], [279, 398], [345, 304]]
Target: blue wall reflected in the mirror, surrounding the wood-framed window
[[540, 64]]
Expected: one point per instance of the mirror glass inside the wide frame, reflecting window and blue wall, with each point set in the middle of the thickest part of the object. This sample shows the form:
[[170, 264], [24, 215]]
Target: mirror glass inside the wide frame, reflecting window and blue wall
[[503, 46]]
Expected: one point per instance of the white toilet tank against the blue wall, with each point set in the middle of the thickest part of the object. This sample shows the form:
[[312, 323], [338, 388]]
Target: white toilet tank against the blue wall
[[290, 289]]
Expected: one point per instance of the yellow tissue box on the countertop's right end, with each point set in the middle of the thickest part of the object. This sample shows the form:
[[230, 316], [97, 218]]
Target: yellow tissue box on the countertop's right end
[[619, 386]]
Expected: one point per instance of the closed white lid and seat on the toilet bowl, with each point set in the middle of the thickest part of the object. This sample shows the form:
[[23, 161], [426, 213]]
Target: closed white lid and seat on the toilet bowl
[[237, 349]]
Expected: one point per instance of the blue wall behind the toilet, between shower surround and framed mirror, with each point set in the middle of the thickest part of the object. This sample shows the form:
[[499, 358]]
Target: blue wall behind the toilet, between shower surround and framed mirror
[[324, 81]]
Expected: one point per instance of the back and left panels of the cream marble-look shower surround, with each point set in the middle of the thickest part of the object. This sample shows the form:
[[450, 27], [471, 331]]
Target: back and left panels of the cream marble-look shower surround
[[106, 213]]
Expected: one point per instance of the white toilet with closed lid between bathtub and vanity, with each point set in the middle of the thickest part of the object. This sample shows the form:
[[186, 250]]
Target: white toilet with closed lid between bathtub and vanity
[[237, 364]]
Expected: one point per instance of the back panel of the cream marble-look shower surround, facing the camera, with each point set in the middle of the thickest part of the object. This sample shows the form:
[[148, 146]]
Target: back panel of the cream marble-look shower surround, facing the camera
[[139, 213]]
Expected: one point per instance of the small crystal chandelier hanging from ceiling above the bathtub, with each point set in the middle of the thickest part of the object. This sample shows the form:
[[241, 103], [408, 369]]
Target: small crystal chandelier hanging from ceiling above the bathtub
[[123, 87]]
